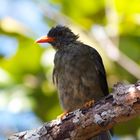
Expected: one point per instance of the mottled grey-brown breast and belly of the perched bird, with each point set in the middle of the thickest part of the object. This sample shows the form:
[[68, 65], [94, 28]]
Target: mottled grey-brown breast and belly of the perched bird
[[77, 80]]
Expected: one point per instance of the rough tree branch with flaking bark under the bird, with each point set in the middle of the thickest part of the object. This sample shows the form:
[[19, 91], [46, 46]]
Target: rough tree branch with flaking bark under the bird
[[121, 105]]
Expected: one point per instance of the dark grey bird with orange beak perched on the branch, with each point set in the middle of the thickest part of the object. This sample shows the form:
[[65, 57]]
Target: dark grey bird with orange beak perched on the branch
[[79, 73]]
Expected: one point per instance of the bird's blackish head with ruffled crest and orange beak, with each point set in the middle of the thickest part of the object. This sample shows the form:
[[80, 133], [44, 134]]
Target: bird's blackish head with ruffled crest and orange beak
[[58, 37]]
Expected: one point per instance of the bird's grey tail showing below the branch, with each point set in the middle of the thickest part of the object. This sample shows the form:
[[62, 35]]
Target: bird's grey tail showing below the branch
[[102, 136]]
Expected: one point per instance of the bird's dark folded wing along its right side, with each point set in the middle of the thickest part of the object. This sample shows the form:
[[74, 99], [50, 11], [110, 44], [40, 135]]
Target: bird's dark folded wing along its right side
[[100, 70]]
